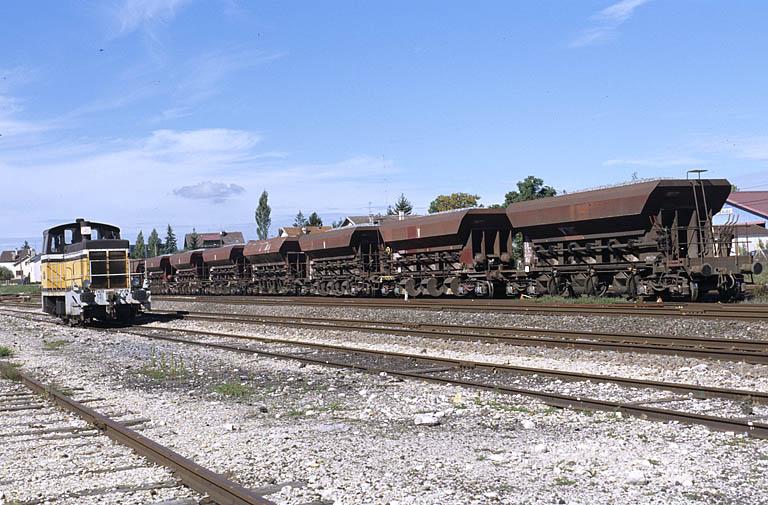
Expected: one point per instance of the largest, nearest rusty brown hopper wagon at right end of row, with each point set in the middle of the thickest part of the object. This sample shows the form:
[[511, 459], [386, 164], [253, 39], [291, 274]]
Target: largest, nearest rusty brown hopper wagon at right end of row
[[648, 238]]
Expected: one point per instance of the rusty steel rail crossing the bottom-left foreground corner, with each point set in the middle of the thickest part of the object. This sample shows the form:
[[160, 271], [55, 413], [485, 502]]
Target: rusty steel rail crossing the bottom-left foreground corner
[[219, 489]]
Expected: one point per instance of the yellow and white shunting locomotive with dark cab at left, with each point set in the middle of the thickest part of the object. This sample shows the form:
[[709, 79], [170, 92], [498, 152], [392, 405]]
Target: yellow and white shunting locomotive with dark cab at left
[[86, 274]]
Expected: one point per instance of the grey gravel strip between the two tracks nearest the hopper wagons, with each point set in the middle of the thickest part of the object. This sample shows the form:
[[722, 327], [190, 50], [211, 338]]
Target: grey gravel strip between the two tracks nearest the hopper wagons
[[645, 325]]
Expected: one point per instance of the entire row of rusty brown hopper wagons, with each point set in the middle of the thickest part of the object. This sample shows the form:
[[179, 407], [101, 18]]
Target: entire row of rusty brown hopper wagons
[[652, 239]]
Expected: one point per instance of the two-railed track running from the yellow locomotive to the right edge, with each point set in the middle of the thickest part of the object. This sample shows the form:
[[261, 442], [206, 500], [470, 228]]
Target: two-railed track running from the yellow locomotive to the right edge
[[488, 376]]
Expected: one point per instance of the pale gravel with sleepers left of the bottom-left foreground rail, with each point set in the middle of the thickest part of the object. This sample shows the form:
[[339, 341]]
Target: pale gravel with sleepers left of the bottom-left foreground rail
[[50, 456]]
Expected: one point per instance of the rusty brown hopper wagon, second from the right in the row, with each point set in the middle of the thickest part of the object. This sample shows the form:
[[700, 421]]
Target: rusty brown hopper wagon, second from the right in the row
[[449, 252]]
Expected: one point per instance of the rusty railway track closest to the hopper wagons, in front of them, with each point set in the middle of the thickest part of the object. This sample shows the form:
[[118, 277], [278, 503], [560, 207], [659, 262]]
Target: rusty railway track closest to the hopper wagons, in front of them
[[743, 311]]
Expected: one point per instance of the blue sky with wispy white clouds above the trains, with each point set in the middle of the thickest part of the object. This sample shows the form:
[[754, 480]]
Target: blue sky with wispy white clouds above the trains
[[144, 113]]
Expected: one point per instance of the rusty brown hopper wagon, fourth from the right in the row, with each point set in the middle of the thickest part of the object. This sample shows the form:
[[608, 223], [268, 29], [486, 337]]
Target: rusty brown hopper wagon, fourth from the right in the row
[[278, 266]]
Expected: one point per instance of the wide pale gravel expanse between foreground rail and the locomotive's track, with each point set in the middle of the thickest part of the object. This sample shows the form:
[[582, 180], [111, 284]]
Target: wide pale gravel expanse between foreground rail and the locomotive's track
[[321, 434]]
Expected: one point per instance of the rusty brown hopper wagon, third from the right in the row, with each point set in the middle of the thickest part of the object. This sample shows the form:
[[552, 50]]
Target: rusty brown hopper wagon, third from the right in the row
[[344, 261]]
